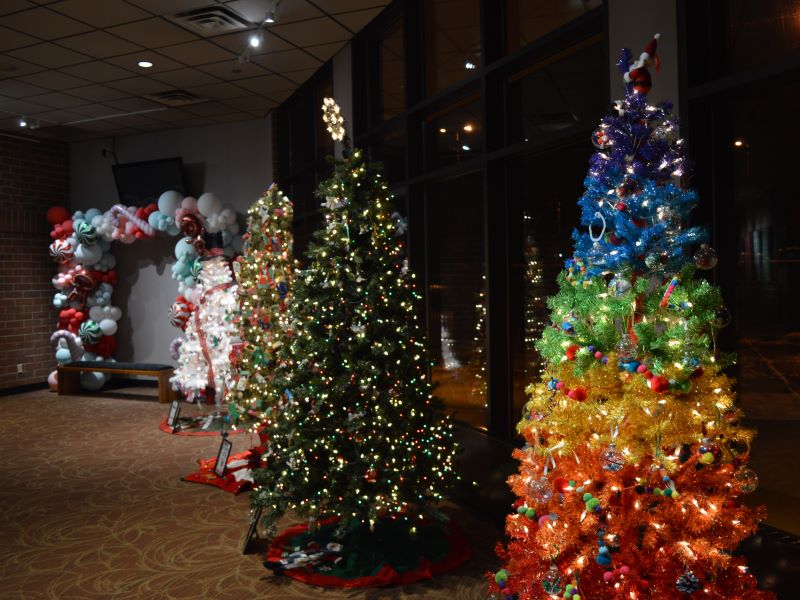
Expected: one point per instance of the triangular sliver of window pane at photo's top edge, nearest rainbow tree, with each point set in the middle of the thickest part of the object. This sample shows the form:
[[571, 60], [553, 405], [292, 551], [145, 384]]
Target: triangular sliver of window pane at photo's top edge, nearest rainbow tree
[[528, 21]]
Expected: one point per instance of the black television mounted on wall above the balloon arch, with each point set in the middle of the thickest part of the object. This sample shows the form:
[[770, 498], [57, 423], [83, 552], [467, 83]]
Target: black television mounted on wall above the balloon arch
[[140, 183]]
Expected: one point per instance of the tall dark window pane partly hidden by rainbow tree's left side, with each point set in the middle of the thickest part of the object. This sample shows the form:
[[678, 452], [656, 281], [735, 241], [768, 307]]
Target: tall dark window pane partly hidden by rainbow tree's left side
[[545, 189]]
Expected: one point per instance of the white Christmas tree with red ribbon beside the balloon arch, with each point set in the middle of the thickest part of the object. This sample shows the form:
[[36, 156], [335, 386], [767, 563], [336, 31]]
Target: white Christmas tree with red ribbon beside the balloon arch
[[204, 364]]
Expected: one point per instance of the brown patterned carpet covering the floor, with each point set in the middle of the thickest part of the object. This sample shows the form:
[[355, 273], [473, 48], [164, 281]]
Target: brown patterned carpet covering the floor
[[93, 507]]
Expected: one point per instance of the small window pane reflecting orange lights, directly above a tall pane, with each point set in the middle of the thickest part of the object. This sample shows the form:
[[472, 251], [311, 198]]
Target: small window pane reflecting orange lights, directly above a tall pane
[[455, 134]]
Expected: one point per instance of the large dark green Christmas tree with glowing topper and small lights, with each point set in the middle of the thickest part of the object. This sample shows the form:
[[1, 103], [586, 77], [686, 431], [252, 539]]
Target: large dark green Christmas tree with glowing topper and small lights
[[358, 436]]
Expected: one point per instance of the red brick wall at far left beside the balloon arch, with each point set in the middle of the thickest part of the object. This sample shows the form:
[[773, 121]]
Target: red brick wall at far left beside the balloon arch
[[33, 177]]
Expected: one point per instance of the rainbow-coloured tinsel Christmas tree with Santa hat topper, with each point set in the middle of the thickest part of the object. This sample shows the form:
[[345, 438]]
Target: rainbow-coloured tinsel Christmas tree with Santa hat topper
[[634, 461]]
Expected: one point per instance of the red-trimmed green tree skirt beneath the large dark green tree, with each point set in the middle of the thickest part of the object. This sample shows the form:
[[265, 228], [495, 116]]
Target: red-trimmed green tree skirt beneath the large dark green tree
[[447, 550]]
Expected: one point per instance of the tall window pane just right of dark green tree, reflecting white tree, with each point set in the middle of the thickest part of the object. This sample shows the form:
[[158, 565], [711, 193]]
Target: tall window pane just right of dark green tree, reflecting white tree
[[456, 296]]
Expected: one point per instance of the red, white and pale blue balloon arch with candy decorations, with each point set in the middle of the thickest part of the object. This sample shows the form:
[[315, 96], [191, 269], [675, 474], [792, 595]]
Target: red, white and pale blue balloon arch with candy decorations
[[82, 242]]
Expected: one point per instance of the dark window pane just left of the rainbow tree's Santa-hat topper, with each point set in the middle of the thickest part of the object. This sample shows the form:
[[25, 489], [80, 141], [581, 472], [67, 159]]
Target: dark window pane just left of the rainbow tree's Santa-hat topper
[[550, 98]]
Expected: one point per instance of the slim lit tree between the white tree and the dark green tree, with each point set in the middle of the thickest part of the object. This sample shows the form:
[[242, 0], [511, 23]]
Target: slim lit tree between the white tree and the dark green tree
[[264, 275]]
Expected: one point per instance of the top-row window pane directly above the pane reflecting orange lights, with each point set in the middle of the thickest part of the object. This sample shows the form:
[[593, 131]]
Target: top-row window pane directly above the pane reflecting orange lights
[[452, 41]]
